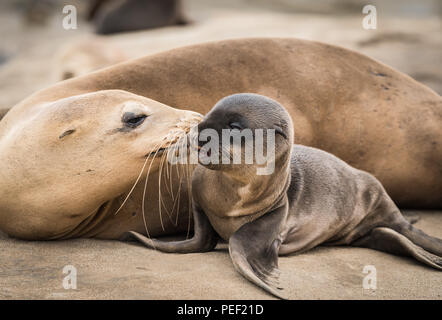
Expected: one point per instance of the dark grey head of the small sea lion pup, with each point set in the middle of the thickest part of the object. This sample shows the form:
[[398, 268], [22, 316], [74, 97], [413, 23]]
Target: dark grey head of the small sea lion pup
[[258, 129]]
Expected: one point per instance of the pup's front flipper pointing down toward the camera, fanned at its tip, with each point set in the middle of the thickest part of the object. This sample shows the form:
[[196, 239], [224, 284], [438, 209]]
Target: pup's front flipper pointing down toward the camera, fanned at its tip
[[254, 250]]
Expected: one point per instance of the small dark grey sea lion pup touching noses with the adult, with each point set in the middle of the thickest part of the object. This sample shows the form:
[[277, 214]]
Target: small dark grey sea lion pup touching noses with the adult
[[311, 198]]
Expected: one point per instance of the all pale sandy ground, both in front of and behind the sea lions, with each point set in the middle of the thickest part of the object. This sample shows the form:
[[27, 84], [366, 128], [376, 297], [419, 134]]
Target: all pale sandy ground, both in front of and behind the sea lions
[[407, 39]]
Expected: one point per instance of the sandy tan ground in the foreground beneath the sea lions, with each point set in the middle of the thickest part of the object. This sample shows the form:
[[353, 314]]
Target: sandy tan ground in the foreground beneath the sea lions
[[116, 270]]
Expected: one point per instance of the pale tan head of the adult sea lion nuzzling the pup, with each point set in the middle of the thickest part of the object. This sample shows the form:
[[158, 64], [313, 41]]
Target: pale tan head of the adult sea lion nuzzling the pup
[[74, 154]]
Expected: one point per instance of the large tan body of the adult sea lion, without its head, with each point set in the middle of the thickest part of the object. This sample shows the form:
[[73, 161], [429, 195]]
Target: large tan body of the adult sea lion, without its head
[[369, 115]]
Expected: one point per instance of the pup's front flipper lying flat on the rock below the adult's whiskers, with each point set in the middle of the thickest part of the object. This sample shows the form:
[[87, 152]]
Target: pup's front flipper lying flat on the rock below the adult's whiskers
[[204, 239]]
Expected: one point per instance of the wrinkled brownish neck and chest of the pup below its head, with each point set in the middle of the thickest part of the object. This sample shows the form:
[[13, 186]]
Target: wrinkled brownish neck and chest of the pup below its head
[[234, 200]]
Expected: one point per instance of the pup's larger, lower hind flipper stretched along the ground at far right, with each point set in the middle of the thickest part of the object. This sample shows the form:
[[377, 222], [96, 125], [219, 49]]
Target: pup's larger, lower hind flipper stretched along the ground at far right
[[388, 240]]
